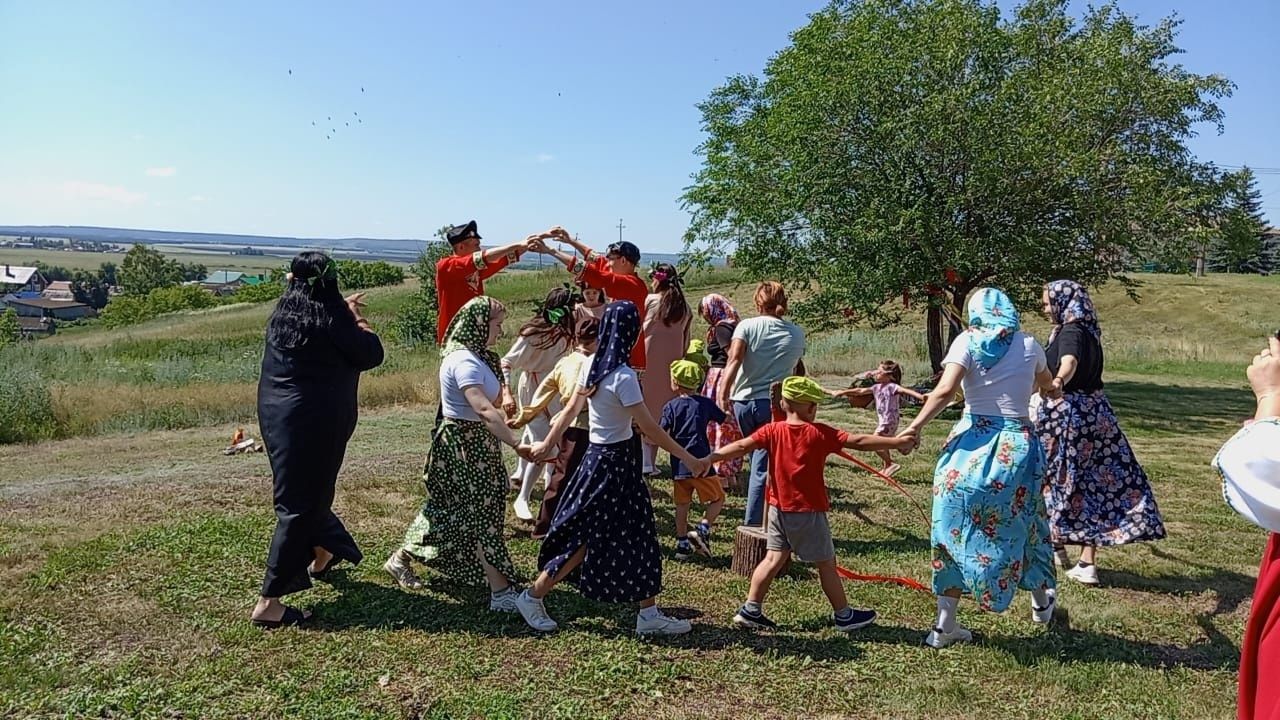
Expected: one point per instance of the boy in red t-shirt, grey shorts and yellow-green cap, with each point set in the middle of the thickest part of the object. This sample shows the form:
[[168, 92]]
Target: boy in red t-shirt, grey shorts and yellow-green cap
[[798, 495]]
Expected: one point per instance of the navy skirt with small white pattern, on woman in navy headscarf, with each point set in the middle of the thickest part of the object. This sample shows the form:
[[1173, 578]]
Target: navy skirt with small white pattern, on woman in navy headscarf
[[605, 505]]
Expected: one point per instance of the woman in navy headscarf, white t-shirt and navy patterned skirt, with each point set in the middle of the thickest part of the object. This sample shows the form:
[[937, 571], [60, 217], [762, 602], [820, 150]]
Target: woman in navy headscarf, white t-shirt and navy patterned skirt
[[604, 537]]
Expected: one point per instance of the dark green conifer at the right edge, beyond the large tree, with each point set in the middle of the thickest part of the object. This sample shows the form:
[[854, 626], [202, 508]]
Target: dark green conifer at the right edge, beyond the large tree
[[1241, 247]]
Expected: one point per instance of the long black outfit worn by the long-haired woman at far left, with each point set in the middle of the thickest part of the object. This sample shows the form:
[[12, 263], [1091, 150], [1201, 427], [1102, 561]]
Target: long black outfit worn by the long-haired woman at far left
[[307, 408]]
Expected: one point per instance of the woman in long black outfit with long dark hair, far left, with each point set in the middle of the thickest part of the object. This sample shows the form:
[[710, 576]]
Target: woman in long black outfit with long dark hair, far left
[[317, 347]]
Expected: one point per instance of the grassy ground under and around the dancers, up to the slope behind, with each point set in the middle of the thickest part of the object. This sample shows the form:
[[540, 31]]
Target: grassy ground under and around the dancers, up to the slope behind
[[131, 558]]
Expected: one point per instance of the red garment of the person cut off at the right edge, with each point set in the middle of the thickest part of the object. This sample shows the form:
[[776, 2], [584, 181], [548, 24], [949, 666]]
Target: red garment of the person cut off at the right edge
[[1260, 655]]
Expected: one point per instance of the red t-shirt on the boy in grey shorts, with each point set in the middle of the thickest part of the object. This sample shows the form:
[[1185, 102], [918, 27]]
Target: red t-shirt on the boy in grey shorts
[[797, 458]]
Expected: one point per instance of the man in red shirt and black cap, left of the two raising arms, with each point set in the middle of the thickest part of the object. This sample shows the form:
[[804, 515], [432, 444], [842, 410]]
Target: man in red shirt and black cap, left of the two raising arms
[[461, 276]]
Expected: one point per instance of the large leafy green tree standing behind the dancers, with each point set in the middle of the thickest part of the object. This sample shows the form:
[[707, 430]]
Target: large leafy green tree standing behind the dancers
[[903, 153]]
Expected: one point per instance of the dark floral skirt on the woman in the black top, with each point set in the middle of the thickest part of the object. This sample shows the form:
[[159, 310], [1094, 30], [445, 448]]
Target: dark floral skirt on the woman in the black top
[[1098, 491]]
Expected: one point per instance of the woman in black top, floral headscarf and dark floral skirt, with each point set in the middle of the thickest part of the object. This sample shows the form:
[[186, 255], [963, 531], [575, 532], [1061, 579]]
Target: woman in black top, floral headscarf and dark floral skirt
[[1099, 495]]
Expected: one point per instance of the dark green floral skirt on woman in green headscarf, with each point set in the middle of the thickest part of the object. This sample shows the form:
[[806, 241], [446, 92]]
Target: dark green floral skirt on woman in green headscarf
[[467, 491]]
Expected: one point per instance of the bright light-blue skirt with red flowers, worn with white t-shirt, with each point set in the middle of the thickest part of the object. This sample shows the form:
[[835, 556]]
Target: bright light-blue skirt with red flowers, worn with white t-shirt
[[990, 526]]
